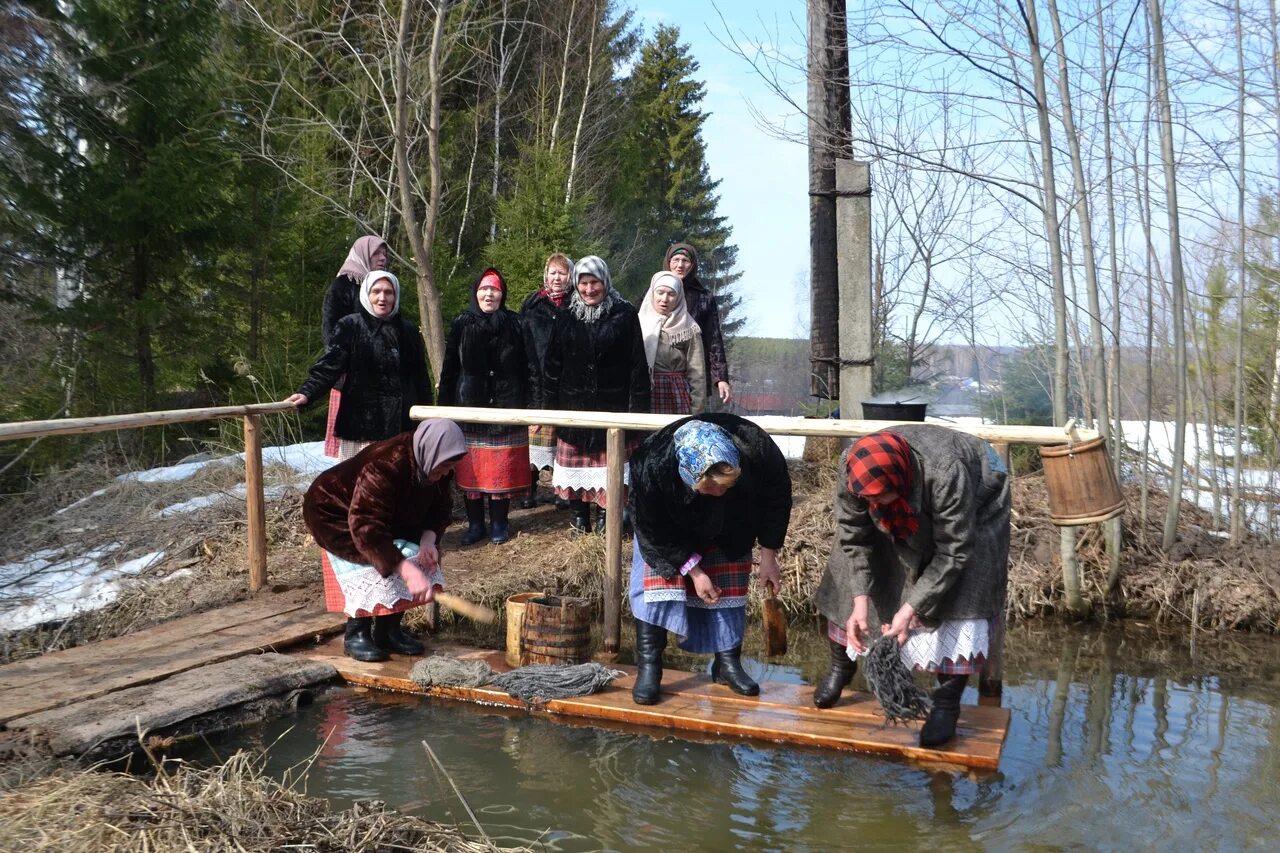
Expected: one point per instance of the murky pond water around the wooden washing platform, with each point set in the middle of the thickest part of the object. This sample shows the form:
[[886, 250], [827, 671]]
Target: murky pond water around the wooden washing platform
[[1122, 738]]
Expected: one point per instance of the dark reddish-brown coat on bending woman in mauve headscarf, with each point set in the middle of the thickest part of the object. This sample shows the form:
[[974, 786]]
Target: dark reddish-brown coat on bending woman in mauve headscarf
[[359, 508]]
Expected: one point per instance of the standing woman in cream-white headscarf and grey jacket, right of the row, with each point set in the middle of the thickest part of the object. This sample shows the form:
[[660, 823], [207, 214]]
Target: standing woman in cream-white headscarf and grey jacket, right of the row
[[674, 349]]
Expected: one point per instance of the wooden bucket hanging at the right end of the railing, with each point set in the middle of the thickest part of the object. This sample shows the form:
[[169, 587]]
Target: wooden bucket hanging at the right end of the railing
[[1081, 482]]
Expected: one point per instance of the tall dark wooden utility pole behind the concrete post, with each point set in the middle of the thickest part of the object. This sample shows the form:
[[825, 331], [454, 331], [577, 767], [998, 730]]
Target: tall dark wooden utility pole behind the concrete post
[[830, 139]]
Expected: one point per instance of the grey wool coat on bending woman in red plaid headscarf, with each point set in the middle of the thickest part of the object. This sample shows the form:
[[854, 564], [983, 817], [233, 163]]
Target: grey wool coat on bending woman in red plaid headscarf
[[954, 567]]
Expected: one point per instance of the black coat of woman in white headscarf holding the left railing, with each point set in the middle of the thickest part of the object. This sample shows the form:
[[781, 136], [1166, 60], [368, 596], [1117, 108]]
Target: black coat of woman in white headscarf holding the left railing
[[386, 368]]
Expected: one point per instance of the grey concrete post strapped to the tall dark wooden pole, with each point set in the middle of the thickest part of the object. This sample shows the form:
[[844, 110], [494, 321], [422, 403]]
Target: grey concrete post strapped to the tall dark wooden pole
[[854, 276]]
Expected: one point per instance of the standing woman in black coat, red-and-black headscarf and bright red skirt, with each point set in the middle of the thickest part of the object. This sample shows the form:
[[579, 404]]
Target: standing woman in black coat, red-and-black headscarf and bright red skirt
[[486, 366]]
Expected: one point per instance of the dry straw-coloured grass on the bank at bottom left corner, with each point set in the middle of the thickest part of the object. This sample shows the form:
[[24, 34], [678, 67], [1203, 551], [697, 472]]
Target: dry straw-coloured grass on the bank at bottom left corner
[[228, 808]]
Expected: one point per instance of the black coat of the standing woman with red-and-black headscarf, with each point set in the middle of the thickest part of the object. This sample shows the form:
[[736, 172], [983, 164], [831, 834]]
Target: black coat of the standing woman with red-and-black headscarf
[[484, 361]]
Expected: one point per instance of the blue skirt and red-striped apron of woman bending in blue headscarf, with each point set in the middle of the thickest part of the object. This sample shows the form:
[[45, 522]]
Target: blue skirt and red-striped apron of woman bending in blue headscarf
[[673, 604]]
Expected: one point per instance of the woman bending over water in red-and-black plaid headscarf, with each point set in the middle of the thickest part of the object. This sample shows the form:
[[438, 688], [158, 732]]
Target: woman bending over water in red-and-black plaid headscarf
[[922, 554]]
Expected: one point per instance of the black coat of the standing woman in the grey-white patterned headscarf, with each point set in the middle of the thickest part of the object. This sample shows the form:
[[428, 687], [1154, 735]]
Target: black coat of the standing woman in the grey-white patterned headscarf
[[596, 367]]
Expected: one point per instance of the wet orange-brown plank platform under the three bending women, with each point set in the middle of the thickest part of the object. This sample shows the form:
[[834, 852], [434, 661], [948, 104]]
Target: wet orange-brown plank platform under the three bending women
[[783, 714]]
